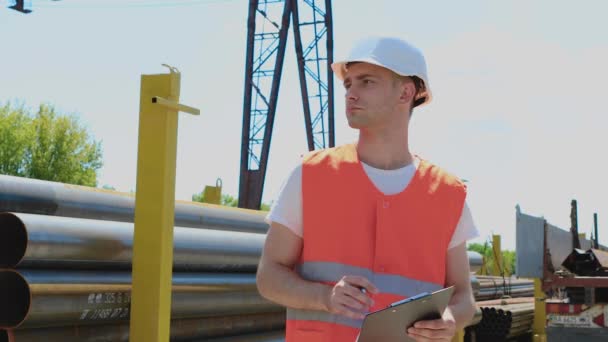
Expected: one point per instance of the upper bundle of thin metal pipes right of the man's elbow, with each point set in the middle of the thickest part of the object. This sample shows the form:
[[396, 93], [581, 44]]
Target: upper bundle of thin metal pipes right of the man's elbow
[[495, 287]]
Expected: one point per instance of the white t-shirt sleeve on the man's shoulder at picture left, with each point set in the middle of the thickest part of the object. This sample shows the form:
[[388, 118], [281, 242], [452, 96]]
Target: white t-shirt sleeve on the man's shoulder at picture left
[[287, 208]]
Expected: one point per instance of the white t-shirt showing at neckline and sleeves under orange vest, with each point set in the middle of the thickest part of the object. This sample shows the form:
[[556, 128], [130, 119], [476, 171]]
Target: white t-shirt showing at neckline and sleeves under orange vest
[[287, 209]]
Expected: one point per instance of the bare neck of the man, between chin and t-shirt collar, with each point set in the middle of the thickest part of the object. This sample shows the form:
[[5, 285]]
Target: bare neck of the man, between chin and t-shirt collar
[[384, 151]]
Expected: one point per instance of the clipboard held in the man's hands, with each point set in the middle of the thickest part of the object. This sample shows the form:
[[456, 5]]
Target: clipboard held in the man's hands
[[390, 324]]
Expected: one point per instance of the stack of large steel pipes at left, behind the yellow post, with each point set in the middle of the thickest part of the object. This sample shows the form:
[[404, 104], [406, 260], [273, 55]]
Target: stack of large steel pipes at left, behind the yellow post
[[65, 260]]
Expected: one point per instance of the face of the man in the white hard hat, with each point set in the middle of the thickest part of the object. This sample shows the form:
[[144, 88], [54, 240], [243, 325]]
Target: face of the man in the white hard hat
[[372, 96]]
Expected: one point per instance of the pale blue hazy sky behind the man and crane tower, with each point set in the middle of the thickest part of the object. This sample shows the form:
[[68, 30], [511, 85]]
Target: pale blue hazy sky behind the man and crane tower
[[519, 91]]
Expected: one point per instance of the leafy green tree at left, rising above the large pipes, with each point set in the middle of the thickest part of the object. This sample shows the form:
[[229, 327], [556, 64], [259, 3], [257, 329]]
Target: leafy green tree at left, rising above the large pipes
[[47, 145]]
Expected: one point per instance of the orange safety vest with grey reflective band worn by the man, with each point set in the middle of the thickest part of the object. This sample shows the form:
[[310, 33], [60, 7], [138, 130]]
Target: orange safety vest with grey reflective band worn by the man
[[399, 242]]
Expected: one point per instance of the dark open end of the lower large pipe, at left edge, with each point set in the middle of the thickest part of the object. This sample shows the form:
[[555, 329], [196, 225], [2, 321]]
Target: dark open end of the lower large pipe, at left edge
[[15, 298]]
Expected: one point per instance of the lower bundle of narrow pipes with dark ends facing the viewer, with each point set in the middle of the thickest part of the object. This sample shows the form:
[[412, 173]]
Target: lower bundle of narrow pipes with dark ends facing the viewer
[[505, 319]]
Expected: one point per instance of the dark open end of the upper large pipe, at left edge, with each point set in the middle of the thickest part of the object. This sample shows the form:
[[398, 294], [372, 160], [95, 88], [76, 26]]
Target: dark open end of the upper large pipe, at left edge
[[13, 240]]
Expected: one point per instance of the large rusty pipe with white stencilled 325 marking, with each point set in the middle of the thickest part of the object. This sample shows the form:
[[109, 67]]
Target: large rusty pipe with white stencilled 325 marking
[[54, 298]]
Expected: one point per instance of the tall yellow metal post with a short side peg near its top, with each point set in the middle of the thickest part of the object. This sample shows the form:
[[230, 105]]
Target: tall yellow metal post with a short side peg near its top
[[155, 206]]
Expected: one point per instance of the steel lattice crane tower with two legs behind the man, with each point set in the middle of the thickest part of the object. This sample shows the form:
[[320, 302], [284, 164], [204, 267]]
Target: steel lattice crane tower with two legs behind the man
[[267, 28]]
